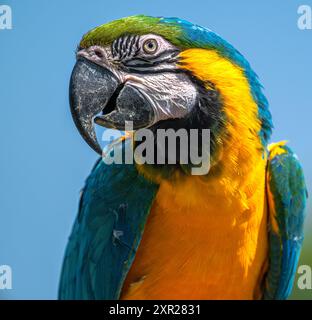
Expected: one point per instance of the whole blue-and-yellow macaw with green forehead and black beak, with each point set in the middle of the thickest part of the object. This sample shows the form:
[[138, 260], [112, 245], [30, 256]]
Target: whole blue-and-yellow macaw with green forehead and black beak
[[155, 231]]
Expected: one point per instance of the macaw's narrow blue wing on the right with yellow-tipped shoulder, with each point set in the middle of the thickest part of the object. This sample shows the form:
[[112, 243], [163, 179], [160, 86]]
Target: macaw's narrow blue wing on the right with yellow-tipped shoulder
[[287, 197]]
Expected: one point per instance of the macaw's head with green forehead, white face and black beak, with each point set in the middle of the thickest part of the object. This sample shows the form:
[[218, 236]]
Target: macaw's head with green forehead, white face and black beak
[[167, 73]]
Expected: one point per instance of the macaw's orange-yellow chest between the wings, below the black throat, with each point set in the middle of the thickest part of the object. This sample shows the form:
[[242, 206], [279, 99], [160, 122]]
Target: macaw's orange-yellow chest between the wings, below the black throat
[[200, 243]]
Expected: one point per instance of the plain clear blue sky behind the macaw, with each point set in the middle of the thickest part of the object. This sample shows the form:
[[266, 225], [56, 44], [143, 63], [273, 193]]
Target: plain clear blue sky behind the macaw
[[44, 161]]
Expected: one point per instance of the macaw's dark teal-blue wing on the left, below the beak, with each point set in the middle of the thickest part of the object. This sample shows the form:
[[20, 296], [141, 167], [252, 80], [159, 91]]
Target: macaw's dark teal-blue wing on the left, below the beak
[[112, 213]]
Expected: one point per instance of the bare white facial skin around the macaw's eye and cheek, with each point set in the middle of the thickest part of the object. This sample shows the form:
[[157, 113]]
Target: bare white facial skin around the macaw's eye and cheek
[[170, 92]]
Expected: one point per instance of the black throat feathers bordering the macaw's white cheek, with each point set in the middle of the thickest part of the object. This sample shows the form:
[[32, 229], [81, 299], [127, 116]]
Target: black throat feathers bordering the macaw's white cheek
[[206, 114]]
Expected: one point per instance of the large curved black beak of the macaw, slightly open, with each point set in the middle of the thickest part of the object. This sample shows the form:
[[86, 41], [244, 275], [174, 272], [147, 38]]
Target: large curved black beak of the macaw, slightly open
[[93, 90]]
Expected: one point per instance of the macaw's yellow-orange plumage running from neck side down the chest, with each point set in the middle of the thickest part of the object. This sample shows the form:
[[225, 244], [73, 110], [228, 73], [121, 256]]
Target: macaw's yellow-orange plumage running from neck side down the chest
[[206, 237]]
